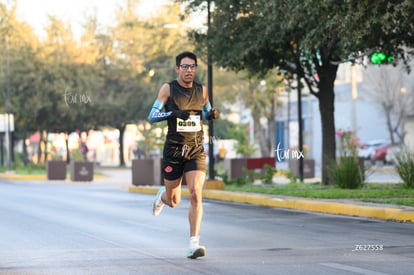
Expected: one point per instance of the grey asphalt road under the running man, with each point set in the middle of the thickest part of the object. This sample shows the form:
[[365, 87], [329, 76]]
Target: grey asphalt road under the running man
[[72, 228]]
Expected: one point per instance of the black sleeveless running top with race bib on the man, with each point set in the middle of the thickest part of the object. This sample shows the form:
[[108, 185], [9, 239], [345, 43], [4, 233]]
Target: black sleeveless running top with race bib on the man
[[188, 132]]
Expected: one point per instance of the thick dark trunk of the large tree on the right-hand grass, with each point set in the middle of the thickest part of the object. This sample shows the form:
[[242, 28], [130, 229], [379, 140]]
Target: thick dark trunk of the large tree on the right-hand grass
[[326, 98]]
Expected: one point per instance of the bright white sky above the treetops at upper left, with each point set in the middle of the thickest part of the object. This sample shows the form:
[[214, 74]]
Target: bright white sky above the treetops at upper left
[[35, 12]]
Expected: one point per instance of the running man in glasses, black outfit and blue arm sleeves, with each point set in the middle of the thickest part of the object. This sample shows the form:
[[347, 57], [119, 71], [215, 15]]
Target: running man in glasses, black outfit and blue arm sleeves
[[186, 103]]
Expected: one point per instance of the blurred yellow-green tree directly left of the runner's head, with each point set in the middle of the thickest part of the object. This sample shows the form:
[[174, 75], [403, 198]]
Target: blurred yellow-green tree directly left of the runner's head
[[137, 58]]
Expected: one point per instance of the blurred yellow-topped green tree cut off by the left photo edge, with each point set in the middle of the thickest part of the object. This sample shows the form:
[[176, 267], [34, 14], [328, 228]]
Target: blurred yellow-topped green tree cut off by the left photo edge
[[18, 64]]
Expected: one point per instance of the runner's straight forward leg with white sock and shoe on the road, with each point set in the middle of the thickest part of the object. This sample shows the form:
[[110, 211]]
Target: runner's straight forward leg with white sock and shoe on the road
[[195, 181]]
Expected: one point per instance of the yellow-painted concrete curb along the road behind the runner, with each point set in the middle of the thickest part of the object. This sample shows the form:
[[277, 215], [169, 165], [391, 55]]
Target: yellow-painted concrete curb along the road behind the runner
[[337, 208]]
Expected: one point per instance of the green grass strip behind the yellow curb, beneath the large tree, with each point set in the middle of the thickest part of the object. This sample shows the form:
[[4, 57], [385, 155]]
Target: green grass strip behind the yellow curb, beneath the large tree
[[378, 193]]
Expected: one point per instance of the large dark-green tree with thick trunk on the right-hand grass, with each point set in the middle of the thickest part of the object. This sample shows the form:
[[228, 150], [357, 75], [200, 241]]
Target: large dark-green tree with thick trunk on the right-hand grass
[[306, 38]]
